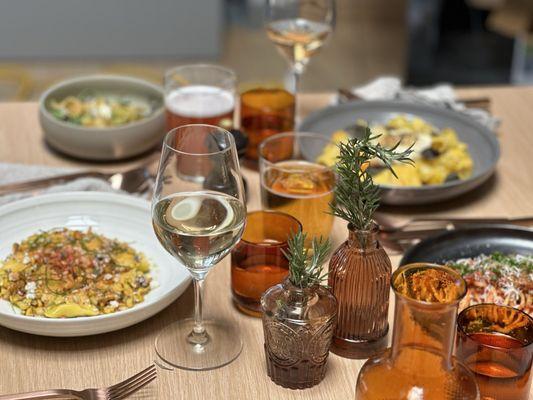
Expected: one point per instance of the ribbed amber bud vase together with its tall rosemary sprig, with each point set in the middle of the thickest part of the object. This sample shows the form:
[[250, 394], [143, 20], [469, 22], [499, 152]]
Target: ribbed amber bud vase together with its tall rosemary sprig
[[360, 262]]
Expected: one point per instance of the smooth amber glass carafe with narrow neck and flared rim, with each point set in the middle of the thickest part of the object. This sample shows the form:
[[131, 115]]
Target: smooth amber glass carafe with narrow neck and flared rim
[[419, 365]]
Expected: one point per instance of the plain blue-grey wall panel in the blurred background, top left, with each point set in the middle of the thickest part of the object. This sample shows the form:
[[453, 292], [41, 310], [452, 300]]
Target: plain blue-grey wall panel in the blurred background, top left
[[53, 29]]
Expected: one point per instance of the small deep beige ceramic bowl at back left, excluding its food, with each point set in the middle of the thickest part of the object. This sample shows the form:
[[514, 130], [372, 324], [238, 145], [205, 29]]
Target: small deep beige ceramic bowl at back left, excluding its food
[[106, 143]]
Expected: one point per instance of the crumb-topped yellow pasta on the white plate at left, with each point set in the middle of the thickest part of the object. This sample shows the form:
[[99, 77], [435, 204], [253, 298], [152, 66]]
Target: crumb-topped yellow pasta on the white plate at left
[[65, 273]]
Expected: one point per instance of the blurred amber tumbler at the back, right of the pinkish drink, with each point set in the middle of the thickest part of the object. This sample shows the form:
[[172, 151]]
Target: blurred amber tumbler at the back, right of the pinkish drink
[[265, 111]]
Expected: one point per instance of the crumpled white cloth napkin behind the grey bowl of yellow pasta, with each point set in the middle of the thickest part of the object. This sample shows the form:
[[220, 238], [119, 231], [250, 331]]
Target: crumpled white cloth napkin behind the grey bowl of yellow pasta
[[442, 95]]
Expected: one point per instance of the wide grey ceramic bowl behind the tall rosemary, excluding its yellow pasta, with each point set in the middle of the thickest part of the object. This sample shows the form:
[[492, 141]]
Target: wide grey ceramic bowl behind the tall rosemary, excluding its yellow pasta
[[482, 143]]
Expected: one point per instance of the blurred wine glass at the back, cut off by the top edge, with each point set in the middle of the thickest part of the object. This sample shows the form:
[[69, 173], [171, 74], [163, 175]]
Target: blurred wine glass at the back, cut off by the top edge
[[299, 28]]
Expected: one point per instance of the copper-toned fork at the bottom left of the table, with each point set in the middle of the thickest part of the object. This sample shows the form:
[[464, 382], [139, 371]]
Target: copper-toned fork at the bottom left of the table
[[116, 392]]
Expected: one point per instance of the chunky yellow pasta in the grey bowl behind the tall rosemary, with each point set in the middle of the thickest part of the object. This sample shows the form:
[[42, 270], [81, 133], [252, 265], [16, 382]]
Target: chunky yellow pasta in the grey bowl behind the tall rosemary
[[438, 154]]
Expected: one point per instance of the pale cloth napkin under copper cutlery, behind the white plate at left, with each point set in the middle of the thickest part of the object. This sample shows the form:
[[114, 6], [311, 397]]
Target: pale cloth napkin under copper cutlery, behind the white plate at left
[[11, 173]]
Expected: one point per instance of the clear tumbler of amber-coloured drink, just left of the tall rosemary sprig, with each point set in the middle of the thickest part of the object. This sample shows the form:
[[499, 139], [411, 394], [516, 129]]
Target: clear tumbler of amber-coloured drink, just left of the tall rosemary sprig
[[293, 182]]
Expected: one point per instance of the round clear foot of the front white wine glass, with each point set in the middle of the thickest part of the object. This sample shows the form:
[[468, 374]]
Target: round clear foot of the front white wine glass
[[224, 345]]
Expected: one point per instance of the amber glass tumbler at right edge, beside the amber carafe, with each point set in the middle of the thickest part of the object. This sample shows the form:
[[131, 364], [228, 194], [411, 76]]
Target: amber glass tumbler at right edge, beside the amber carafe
[[496, 344]]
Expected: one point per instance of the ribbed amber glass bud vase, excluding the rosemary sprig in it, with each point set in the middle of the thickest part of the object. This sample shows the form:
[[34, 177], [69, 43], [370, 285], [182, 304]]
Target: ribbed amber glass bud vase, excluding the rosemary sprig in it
[[359, 276]]
